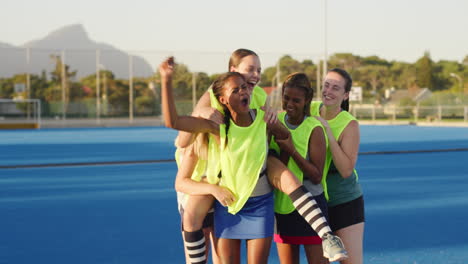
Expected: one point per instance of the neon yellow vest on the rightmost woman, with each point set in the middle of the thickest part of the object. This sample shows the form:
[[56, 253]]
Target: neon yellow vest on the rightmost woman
[[337, 125]]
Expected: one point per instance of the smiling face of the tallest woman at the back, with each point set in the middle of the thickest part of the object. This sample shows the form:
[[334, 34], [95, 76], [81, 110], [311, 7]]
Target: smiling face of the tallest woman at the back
[[250, 68]]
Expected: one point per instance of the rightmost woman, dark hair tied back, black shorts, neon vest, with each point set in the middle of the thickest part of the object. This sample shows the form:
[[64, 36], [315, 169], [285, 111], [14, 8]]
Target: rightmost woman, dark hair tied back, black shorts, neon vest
[[345, 198]]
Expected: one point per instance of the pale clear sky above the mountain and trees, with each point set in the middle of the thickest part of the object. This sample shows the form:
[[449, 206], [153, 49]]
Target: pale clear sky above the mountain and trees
[[392, 29]]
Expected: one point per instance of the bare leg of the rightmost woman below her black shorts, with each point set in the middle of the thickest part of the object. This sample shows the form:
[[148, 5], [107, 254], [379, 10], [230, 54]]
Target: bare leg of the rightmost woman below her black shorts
[[352, 237]]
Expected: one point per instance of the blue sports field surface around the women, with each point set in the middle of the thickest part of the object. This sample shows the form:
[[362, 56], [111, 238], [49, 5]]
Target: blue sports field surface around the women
[[105, 195]]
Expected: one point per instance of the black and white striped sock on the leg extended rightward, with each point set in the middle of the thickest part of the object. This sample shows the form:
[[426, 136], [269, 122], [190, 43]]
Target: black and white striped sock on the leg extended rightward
[[308, 208]]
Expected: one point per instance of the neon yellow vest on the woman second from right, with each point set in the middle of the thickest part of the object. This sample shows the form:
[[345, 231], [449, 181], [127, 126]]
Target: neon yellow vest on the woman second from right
[[300, 137]]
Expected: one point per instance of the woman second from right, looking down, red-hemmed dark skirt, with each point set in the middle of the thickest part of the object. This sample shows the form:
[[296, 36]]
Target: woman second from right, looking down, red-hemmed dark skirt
[[304, 154]]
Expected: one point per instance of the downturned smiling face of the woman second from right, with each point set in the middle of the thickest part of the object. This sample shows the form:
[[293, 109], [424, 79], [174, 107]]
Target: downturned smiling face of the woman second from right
[[294, 102]]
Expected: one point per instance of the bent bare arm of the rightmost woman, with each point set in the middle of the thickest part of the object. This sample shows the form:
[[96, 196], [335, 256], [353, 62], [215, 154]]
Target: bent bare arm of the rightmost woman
[[344, 152]]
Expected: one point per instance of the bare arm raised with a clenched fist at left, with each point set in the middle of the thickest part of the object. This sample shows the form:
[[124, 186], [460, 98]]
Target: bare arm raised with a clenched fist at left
[[171, 118]]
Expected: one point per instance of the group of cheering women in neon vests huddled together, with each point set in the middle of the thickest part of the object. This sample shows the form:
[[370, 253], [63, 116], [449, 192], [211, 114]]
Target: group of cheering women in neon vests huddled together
[[248, 173]]
